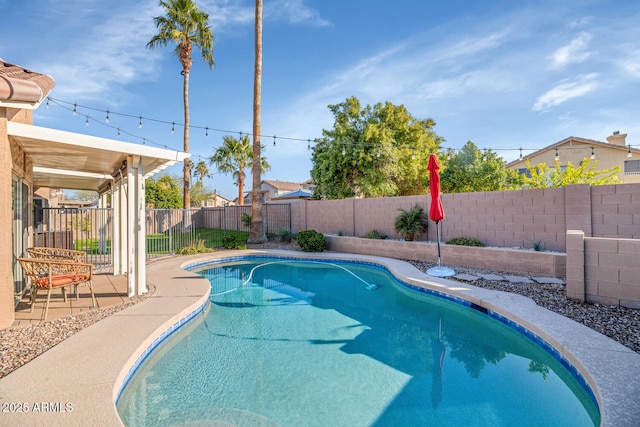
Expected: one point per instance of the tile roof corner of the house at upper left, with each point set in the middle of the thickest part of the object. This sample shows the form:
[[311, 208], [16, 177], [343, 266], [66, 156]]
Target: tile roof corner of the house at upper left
[[18, 84]]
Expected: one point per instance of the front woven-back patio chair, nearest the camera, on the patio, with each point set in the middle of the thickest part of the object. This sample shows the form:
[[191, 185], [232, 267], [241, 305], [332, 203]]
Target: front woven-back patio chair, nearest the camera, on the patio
[[52, 274]]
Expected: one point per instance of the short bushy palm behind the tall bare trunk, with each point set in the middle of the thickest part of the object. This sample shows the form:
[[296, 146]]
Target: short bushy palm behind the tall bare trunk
[[235, 156]]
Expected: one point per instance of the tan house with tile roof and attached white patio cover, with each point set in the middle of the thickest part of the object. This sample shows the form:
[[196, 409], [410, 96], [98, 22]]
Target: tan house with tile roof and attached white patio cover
[[34, 158]]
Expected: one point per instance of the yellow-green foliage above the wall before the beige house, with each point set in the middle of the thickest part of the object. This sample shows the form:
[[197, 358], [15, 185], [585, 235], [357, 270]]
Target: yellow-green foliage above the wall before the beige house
[[543, 176]]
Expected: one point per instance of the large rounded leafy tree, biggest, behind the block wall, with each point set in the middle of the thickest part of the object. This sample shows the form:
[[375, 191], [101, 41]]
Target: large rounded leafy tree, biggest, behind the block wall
[[376, 151]]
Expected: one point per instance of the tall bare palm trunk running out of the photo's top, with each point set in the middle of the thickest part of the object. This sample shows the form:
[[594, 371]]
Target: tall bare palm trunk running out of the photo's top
[[256, 234]]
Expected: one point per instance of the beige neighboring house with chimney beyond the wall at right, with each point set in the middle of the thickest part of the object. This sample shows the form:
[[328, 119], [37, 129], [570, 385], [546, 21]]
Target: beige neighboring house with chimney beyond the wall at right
[[609, 154]]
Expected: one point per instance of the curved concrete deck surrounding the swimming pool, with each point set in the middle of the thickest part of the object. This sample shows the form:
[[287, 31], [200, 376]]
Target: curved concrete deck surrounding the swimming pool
[[77, 381]]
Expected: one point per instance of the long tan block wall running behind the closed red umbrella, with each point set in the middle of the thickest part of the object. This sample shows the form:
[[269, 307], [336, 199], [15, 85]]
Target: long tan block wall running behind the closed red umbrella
[[498, 218]]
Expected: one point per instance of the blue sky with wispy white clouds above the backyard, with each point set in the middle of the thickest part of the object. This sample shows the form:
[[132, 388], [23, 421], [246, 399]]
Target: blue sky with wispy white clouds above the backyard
[[503, 74]]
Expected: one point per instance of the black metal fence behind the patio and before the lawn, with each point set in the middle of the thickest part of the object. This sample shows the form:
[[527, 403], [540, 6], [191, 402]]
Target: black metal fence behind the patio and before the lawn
[[167, 230]]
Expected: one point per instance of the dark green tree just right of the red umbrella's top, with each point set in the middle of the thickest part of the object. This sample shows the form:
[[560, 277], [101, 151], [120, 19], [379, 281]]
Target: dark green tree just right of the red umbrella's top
[[470, 170]]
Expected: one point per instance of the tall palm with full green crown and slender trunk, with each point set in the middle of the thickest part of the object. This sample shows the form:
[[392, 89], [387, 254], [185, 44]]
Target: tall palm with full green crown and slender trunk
[[186, 26]]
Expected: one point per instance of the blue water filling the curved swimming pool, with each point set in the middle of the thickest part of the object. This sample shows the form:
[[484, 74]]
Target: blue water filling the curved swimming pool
[[295, 343]]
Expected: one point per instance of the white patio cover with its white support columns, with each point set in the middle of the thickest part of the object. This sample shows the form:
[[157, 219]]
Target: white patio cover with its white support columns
[[80, 162]]
